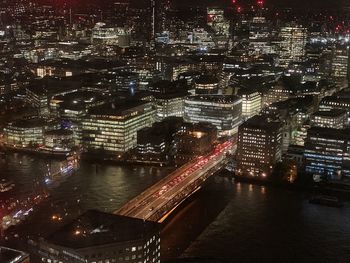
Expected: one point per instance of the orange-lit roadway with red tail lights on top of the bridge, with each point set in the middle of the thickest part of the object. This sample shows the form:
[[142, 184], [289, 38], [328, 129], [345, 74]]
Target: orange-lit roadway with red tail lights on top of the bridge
[[148, 203]]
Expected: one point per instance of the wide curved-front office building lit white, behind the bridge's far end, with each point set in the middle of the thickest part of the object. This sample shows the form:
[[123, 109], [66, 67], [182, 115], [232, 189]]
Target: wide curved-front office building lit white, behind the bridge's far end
[[224, 112]]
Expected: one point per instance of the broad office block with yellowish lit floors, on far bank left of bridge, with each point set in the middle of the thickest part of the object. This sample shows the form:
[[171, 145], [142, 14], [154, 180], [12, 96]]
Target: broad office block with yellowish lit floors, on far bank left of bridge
[[113, 127]]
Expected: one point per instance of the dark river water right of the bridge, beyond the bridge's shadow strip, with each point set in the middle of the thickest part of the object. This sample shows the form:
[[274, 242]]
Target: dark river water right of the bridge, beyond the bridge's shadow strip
[[262, 224]]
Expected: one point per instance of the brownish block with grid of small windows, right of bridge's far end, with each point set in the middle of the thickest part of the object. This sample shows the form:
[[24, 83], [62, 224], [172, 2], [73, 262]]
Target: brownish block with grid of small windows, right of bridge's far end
[[259, 147]]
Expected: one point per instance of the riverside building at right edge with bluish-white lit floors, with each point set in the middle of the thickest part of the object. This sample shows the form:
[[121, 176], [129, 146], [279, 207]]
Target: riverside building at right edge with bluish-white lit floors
[[327, 153]]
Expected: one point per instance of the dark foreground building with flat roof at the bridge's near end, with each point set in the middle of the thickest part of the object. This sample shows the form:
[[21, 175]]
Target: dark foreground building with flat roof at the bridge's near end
[[100, 237]]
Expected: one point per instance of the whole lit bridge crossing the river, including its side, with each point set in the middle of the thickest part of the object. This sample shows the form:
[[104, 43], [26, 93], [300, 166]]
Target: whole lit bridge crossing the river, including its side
[[162, 198]]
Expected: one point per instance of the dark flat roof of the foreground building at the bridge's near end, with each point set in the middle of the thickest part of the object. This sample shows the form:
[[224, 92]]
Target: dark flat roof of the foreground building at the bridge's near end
[[95, 228]]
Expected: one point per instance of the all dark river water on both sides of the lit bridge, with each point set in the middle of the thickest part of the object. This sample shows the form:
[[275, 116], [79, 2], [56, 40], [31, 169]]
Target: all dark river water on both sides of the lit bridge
[[225, 221]]
